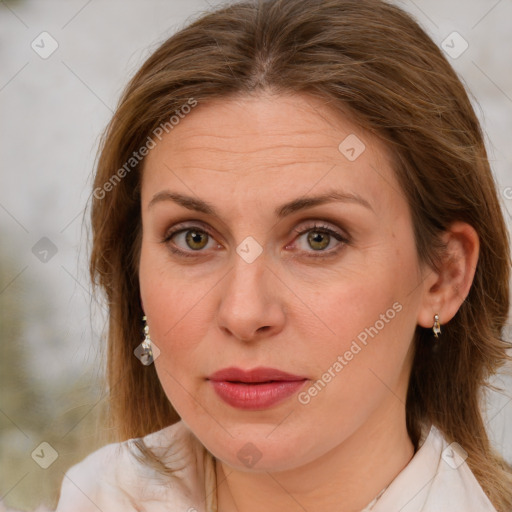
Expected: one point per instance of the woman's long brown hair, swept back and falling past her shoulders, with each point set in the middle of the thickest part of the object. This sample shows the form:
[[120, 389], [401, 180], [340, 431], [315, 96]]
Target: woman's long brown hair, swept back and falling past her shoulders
[[372, 59]]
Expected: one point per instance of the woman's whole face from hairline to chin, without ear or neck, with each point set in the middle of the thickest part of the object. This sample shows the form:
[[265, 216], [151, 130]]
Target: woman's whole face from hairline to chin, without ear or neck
[[275, 235]]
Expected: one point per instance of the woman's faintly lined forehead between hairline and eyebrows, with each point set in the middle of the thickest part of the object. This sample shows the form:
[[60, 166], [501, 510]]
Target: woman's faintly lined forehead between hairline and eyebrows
[[266, 148]]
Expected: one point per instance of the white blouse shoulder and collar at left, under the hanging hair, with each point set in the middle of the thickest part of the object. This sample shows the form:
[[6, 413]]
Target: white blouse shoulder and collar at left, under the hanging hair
[[116, 477]]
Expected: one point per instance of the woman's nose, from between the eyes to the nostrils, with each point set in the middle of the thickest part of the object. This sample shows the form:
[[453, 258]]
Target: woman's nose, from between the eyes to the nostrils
[[251, 306]]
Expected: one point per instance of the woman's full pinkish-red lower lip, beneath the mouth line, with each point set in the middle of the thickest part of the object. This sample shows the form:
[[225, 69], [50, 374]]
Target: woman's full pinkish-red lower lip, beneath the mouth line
[[255, 396]]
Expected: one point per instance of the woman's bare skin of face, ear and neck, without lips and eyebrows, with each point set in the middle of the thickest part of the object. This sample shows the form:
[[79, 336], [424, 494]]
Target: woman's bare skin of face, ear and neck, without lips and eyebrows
[[293, 308]]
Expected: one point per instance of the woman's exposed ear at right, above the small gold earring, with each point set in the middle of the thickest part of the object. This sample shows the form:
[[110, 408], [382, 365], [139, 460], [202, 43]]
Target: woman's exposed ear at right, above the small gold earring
[[446, 289]]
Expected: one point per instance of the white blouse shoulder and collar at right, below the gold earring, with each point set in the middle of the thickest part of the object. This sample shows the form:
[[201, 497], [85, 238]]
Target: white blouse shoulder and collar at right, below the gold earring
[[437, 478]]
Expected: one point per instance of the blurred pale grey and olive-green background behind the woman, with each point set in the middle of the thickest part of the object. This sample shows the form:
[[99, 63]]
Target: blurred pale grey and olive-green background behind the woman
[[62, 68]]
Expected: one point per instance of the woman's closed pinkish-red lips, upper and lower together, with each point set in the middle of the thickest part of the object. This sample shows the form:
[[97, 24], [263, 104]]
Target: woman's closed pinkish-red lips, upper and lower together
[[259, 388]]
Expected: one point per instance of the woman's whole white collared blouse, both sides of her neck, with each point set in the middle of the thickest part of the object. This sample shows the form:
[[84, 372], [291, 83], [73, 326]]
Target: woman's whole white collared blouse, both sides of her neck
[[112, 479]]
